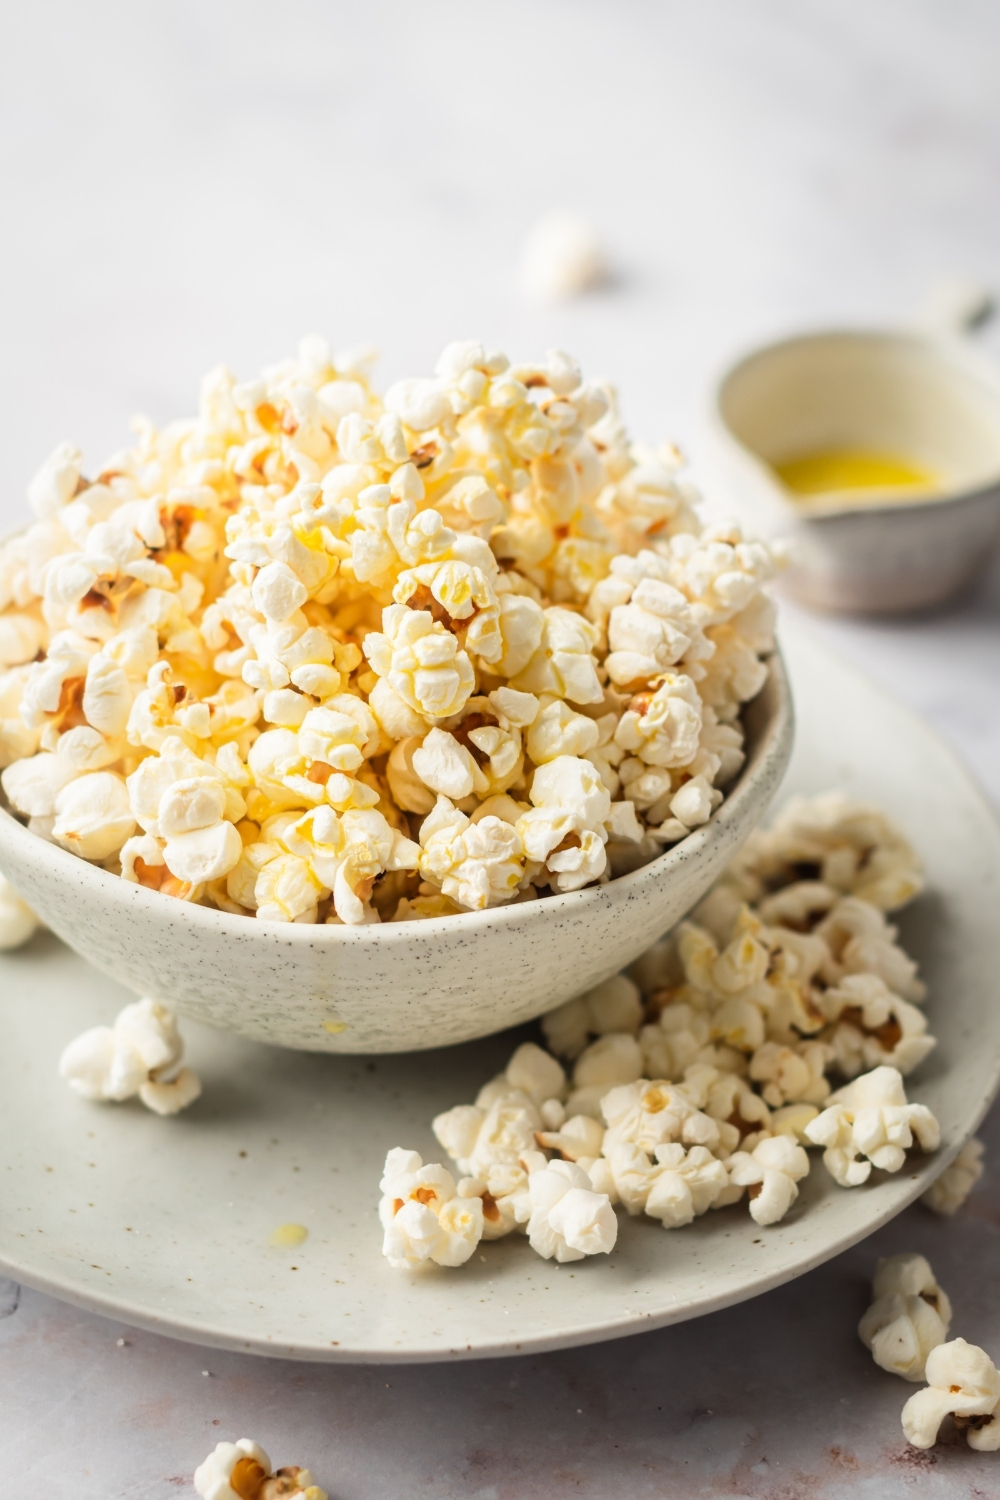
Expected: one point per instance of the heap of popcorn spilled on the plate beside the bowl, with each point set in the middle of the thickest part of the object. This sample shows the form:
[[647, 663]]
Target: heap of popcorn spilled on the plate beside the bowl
[[701, 1075]]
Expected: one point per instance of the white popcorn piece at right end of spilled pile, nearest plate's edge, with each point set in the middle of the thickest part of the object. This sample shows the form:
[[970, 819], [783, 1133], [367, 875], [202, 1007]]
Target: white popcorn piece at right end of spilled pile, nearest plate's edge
[[870, 1118]]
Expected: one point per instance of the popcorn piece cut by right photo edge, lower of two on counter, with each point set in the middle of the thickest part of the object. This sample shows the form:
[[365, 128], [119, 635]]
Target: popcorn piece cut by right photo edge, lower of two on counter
[[963, 1382]]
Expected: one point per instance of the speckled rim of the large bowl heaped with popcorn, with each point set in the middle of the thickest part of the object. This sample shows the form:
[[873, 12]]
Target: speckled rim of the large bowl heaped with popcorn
[[773, 746]]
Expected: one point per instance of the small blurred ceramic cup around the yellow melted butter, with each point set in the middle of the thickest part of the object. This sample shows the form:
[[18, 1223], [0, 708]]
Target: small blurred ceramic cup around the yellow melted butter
[[924, 397]]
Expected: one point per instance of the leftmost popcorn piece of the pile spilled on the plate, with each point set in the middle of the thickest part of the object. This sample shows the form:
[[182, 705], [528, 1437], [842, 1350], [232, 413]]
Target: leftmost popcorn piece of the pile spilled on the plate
[[424, 1216]]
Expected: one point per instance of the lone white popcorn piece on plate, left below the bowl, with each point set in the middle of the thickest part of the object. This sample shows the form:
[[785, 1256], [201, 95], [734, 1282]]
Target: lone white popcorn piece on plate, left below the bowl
[[140, 1055]]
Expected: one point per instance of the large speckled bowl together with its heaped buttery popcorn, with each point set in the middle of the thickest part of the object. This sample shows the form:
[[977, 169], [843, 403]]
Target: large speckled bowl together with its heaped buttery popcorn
[[371, 724]]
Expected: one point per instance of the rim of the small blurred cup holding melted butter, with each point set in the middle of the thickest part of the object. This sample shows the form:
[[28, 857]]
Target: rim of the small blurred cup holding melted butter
[[950, 349]]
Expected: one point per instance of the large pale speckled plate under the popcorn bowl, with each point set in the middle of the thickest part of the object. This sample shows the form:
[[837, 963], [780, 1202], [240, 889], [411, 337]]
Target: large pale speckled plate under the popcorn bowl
[[167, 1223]]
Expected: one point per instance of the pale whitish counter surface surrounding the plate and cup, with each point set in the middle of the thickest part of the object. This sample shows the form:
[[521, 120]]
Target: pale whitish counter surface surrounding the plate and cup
[[187, 184]]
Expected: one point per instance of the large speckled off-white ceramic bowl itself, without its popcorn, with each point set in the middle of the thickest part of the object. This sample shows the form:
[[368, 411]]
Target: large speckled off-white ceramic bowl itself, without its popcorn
[[404, 986]]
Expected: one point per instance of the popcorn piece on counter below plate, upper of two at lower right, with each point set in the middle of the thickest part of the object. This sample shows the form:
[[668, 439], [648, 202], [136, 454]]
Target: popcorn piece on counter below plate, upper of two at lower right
[[908, 1319]]
